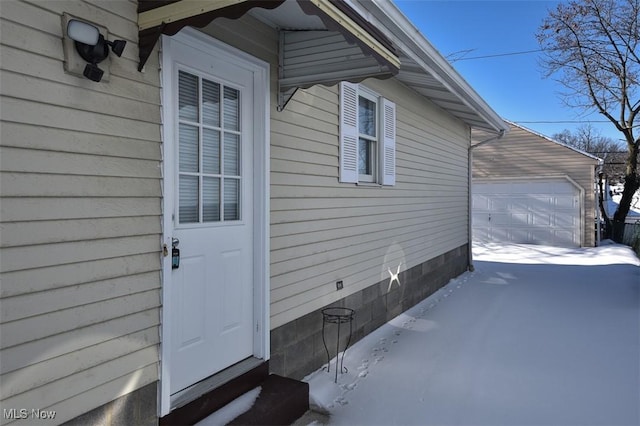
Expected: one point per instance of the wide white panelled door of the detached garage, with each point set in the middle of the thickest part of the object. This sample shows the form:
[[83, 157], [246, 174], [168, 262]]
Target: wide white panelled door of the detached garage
[[539, 212]]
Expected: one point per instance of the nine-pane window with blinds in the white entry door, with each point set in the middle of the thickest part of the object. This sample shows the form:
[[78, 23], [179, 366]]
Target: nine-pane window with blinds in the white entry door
[[209, 148]]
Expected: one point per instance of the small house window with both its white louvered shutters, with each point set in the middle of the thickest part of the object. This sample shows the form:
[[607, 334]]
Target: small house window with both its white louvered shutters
[[367, 136]]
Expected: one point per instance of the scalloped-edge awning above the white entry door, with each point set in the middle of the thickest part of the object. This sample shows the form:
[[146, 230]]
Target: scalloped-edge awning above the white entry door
[[359, 50]]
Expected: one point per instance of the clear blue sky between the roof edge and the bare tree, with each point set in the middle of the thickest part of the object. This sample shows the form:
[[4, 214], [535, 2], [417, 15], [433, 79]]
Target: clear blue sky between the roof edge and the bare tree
[[513, 85]]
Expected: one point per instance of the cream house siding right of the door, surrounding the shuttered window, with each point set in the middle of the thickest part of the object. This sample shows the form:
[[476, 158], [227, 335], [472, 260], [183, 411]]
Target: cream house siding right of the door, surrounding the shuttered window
[[323, 231]]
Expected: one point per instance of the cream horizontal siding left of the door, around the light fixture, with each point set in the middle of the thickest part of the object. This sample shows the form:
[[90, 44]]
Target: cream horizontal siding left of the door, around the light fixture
[[81, 193]]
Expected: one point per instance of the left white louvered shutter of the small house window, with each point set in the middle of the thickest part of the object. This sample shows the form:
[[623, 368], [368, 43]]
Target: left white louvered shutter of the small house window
[[348, 132]]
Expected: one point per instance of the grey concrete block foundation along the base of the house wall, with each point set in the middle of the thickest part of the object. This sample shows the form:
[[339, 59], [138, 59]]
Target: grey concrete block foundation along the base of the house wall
[[297, 348]]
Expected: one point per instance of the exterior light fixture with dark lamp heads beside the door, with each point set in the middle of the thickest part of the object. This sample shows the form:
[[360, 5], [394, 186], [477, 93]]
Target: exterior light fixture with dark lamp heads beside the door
[[92, 47]]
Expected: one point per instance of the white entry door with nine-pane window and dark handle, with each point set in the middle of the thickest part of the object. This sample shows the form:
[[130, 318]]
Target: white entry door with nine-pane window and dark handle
[[209, 155]]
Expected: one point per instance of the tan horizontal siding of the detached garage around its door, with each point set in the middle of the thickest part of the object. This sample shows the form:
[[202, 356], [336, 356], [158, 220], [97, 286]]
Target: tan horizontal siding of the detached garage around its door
[[524, 154]]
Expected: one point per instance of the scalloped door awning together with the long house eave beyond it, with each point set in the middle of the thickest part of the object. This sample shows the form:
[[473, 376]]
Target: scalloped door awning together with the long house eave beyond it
[[327, 41]]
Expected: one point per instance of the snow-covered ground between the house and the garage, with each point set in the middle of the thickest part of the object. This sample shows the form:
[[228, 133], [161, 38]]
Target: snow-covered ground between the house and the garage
[[535, 335]]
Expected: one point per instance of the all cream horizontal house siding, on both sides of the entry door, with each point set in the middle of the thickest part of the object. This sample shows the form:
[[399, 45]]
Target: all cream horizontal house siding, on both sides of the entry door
[[81, 205]]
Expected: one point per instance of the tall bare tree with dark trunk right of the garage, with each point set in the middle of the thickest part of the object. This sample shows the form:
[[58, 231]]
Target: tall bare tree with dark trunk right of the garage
[[592, 47]]
